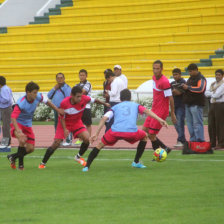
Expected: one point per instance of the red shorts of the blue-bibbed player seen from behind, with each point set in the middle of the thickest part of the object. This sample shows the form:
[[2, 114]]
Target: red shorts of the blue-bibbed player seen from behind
[[110, 137]]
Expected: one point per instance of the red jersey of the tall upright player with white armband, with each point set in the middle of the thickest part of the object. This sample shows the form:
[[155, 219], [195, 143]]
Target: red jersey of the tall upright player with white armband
[[161, 93]]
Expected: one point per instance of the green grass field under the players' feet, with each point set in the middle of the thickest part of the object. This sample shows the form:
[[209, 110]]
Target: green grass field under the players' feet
[[185, 189]]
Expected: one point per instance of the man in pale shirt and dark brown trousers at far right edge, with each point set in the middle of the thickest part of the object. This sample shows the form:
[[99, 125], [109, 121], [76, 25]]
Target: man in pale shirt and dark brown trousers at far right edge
[[216, 110]]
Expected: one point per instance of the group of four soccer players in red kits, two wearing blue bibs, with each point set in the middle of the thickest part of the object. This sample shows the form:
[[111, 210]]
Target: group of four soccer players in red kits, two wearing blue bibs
[[69, 121]]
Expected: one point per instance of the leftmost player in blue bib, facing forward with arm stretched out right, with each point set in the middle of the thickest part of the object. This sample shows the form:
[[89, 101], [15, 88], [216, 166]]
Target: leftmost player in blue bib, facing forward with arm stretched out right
[[21, 126]]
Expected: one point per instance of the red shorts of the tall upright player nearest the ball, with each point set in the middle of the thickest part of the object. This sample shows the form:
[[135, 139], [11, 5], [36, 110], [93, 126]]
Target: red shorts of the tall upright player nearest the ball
[[153, 125]]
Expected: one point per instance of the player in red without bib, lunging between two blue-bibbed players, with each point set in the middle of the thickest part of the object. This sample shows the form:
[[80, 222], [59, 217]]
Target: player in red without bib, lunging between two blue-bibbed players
[[72, 122]]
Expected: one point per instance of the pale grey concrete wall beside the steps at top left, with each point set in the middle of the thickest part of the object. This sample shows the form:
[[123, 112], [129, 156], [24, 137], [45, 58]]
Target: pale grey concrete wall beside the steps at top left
[[21, 12]]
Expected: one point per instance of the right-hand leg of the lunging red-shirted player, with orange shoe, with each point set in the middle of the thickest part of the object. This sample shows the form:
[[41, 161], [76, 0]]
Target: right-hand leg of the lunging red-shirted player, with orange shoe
[[84, 136]]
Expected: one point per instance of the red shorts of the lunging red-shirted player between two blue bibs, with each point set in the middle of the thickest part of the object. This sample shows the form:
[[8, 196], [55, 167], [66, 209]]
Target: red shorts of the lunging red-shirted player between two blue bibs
[[76, 129]]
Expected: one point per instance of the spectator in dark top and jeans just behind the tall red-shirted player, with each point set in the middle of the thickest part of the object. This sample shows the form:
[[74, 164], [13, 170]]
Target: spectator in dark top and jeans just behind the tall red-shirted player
[[179, 106]]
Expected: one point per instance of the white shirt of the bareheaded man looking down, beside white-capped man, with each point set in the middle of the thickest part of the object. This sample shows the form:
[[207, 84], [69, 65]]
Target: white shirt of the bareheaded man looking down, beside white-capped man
[[117, 85]]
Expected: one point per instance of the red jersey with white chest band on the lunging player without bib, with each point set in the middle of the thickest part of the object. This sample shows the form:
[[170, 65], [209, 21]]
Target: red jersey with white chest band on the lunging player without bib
[[73, 112]]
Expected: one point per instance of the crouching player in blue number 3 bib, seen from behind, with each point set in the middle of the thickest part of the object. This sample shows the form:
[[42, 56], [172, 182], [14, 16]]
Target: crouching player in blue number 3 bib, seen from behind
[[124, 127]]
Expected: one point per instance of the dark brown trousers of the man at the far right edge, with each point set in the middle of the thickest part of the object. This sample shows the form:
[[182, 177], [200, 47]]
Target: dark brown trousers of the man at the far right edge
[[216, 124]]
